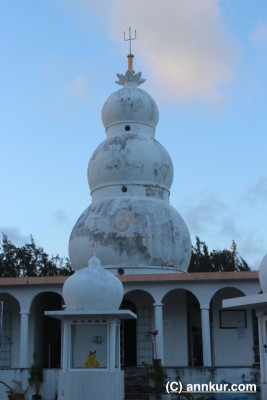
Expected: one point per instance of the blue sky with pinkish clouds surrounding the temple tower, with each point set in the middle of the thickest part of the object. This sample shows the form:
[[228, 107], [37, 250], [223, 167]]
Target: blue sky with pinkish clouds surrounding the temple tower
[[206, 66]]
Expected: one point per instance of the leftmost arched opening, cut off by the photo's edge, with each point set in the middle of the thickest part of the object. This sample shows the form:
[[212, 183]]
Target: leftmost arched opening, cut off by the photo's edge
[[10, 332]]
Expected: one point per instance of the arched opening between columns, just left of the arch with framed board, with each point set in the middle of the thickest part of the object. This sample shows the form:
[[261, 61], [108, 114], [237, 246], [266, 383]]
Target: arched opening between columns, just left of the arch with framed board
[[182, 329]]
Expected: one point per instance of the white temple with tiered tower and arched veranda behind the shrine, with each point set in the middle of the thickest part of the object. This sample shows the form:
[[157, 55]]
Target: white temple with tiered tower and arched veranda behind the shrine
[[136, 235]]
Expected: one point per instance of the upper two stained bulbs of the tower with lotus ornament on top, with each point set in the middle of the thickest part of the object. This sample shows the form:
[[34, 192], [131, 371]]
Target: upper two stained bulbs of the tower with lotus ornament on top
[[130, 154]]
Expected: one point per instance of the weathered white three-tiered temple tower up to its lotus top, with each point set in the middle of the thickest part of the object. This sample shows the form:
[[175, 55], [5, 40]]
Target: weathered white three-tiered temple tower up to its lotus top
[[130, 223]]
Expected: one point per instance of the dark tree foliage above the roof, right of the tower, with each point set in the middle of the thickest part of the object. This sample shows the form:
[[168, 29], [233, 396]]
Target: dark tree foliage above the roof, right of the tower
[[217, 260]]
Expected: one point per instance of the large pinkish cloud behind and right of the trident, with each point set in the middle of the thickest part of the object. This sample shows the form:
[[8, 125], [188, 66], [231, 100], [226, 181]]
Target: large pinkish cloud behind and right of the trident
[[183, 43]]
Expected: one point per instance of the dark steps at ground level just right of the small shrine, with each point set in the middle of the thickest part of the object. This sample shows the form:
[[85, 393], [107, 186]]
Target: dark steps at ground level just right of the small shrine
[[136, 383]]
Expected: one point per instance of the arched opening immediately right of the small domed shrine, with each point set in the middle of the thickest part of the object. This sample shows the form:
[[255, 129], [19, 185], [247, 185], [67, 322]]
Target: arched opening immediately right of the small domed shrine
[[136, 346]]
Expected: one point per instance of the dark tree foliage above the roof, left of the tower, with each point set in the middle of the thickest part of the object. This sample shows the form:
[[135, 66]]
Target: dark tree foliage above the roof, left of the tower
[[30, 260]]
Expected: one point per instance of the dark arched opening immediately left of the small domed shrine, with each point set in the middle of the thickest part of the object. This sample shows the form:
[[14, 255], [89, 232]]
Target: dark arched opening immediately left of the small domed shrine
[[47, 330]]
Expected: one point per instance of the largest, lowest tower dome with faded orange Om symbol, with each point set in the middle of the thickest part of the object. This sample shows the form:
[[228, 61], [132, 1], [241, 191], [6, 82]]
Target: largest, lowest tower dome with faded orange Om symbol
[[131, 233]]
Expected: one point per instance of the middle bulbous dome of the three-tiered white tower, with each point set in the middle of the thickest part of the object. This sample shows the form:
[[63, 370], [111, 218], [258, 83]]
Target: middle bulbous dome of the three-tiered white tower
[[130, 158]]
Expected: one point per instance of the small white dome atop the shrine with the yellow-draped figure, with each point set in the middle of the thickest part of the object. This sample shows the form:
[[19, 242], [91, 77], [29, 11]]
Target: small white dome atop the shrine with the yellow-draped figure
[[93, 288]]
